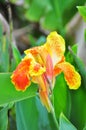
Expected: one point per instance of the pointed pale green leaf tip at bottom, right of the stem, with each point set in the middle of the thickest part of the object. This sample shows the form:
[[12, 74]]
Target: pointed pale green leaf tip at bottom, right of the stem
[[65, 124]]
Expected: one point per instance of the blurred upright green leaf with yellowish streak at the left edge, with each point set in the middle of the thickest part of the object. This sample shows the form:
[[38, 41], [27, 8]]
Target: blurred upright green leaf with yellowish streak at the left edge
[[4, 52]]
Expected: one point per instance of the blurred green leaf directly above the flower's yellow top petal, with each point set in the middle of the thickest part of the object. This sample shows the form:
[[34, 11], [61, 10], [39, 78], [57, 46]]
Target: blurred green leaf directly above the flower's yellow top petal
[[53, 18]]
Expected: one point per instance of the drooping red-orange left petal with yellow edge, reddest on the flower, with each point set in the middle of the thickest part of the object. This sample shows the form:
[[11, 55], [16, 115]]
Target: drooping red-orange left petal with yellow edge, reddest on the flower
[[20, 77]]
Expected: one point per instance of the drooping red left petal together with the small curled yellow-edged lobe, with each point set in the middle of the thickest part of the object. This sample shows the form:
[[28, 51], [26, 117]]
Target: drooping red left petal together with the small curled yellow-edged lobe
[[27, 68]]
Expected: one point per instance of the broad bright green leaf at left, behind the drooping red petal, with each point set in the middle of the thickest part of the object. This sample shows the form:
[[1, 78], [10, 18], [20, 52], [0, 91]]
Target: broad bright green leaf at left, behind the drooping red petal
[[9, 94]]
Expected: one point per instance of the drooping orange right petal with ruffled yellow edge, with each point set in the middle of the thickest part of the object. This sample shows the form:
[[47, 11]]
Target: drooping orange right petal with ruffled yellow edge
[[72, 77]]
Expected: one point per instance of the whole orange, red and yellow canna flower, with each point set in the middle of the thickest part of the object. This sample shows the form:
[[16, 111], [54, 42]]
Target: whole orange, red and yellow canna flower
[[42, 64]]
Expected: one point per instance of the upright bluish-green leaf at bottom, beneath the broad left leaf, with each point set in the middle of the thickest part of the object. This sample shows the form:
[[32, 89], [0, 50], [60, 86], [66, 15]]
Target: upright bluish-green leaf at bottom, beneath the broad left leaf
[[27, 115]]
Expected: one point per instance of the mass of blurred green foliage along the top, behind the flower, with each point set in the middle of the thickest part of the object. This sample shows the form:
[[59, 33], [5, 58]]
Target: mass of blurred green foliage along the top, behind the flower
[[51, 14]]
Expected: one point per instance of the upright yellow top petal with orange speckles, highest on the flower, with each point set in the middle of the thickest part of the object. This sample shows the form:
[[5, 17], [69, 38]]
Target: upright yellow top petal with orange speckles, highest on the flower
[[55, 46]]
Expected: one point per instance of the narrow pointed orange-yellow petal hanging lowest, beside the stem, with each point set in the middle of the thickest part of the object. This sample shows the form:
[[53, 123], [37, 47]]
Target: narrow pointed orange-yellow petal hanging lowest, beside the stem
[[45, 99]]
